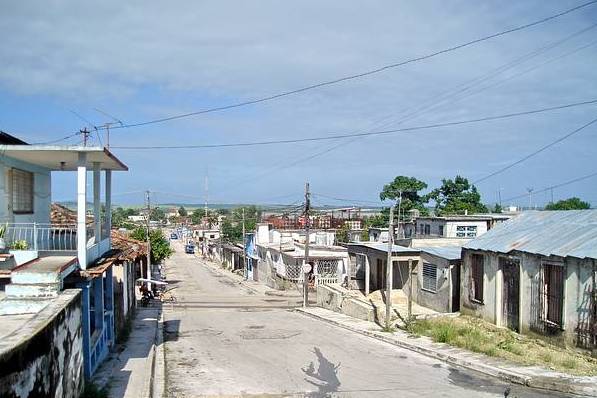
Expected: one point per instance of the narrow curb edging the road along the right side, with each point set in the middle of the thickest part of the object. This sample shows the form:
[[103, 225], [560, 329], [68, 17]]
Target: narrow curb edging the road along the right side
[[543, 382]]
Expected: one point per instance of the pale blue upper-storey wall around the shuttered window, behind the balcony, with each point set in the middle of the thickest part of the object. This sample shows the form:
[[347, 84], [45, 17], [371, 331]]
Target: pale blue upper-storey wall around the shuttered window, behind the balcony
[[41, 193]]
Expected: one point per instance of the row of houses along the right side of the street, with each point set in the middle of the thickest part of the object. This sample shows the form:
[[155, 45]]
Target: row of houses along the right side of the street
[[535, 272]]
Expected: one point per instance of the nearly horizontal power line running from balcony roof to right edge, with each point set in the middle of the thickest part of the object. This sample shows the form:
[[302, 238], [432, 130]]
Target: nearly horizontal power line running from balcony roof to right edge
[[362, 134]]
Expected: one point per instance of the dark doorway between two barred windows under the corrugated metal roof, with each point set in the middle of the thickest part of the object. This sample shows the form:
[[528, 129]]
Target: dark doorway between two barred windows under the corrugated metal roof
[[511, 293]]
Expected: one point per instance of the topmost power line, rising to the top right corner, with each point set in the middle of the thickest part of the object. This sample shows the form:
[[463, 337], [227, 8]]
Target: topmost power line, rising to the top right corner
[[362, 74]]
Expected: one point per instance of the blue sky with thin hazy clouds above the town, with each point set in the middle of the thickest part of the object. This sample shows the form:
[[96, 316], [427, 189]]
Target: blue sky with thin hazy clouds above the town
[[141, 60]]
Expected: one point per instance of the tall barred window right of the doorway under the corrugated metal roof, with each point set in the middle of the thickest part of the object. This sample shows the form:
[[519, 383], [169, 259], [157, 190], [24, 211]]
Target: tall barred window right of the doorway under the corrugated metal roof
[[553, 294]]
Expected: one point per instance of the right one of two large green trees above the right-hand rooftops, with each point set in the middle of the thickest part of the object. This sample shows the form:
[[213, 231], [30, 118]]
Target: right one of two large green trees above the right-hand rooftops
[[457, 196]]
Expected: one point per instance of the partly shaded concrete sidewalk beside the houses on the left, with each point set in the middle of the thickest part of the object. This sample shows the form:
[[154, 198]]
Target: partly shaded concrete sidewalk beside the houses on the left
[[128, 372]]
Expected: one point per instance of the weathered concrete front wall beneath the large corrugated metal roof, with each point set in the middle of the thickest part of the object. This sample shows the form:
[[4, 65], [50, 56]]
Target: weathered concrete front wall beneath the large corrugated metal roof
[[578, 287]]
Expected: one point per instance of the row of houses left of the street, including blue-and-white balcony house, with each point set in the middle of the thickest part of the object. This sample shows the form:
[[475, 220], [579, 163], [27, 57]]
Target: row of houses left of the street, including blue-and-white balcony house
[[68, 279]]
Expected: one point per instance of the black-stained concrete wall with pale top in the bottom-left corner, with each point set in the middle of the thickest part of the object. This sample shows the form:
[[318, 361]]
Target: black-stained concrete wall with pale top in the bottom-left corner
[[44, 358]]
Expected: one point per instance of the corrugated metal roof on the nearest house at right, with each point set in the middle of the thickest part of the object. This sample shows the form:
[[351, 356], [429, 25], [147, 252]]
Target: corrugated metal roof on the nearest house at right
[[560, 233]]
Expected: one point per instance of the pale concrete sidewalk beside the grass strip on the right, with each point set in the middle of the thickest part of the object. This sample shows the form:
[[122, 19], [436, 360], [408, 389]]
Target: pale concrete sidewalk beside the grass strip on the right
[[526, 375]]
